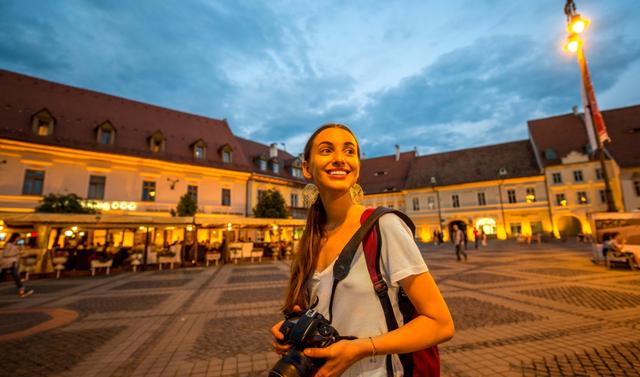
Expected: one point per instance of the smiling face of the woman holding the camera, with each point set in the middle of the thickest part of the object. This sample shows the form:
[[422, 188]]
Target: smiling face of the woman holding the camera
[[333, 161]]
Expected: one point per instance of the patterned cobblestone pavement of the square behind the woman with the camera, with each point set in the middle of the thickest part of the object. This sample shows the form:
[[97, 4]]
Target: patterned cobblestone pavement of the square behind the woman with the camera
[[540, 310]]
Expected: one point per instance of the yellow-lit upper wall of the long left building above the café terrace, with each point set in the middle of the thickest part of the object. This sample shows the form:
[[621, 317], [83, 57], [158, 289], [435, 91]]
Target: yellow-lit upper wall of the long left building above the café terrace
[[68, 171]]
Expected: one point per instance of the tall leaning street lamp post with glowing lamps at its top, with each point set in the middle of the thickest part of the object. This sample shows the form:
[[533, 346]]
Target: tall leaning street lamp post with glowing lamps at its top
[[576, 25]]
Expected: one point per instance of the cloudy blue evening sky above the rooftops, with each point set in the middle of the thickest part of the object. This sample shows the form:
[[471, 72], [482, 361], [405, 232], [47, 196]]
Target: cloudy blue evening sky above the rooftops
[[436, 75]]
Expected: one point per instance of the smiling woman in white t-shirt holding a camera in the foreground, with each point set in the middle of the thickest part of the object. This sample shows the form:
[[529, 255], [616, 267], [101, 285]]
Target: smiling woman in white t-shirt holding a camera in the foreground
[[332, 163]]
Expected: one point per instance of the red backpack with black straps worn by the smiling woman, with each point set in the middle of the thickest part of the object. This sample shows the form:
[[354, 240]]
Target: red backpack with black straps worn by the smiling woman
[[423, 363]]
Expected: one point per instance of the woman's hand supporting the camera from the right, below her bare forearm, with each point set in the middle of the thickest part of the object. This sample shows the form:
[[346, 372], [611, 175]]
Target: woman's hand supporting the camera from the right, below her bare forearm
[[339, 356]]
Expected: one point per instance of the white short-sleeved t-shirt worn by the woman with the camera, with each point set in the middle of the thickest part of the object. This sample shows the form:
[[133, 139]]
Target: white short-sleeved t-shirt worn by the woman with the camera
[[356, 308]]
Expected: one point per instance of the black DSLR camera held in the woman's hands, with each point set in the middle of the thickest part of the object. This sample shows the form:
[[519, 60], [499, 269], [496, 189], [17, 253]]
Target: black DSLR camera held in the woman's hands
[[310, 330]]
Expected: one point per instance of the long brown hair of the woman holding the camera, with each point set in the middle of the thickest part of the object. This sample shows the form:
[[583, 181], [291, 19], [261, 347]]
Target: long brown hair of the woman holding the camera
[[306, 257]]
